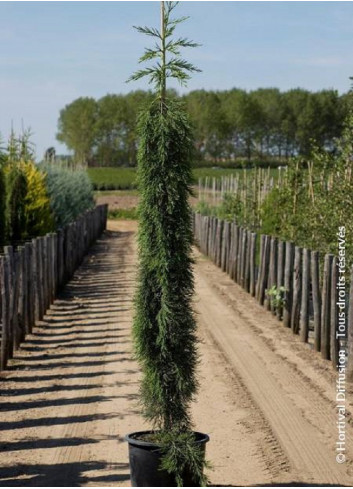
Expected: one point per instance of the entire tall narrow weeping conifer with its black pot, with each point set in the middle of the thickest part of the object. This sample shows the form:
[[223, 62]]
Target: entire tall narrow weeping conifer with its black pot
[[164, 329]]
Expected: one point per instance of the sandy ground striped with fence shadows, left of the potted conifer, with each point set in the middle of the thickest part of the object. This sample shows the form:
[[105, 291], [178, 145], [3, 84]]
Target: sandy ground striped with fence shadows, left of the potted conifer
[[70, 394]]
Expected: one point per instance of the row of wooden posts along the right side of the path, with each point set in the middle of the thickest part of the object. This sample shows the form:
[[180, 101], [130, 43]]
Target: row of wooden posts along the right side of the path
[[308, 304]]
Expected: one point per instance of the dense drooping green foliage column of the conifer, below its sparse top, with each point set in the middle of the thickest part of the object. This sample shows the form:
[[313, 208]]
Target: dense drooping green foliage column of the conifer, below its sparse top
[[164, 326]]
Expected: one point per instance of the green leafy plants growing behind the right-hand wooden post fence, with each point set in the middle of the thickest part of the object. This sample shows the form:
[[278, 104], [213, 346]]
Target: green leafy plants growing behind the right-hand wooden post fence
[[313, 200]]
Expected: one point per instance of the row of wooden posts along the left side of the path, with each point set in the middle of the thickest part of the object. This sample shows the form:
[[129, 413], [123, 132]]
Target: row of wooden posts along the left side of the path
[[32, 274]]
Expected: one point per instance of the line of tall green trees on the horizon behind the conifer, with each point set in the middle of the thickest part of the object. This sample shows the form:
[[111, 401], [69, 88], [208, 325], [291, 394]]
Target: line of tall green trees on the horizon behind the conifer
[[264, 124]]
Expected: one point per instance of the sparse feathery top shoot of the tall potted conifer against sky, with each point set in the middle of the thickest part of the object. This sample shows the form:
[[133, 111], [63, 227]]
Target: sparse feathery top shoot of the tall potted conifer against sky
[[165, 67]]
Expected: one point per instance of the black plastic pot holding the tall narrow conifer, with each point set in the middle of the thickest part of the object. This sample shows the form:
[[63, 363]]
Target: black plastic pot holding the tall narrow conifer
[[145, 459]]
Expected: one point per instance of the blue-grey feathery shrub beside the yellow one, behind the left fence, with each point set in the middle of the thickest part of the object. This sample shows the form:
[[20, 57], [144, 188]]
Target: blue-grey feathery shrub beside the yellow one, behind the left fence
[[70, 192]]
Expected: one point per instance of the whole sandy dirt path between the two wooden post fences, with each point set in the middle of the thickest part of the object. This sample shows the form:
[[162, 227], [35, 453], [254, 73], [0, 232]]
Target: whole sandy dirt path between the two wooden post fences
[[71, 393]]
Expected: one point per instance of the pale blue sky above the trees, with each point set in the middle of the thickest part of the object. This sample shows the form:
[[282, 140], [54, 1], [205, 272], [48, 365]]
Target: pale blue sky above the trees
[[54, 52]]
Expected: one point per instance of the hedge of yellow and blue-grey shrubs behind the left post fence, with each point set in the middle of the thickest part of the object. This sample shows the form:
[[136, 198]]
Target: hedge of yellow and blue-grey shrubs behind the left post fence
[[38, 199]]
